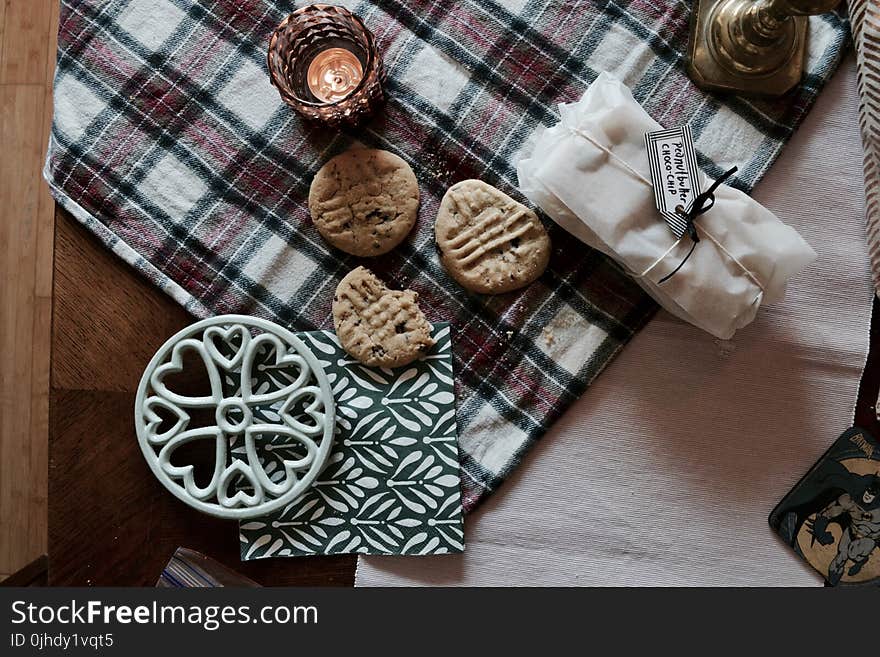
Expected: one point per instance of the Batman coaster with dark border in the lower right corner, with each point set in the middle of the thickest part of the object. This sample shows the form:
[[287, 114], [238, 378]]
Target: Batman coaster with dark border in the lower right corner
[[831, 518]]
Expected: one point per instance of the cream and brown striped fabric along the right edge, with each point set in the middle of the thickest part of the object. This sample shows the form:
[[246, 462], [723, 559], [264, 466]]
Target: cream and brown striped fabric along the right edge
[[865, 17]]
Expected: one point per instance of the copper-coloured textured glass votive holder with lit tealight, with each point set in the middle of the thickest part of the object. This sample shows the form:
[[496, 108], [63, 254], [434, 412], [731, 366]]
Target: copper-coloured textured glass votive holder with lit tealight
[[303, 41]]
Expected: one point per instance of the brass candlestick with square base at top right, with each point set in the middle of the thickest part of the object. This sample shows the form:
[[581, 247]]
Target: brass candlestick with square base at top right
[[751, 46]]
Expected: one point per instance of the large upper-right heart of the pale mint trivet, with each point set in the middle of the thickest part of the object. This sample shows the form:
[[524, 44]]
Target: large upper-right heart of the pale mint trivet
[[268, 364]]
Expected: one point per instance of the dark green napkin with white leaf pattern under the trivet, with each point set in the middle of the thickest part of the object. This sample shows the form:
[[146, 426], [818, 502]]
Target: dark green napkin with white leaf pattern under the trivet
[[392, 483]]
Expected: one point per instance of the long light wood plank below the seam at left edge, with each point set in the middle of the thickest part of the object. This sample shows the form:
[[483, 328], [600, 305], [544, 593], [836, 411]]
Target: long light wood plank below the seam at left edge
[[20, 187]]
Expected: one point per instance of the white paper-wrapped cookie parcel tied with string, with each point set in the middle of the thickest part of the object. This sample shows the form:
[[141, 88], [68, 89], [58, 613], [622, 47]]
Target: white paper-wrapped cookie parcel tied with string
[[590, 174]]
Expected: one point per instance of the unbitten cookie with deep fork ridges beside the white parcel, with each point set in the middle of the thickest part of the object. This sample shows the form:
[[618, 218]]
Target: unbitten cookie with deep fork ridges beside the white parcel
[[488, 242]]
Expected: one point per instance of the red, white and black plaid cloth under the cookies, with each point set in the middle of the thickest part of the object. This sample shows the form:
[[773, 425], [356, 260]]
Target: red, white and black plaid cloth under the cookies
[[170, 144]]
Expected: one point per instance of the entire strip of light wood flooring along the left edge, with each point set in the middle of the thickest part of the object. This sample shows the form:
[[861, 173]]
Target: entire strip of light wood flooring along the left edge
[[28, 41]]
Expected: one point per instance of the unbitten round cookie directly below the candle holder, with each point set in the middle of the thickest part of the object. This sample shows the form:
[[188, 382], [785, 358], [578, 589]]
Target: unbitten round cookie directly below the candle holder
[[364, 201]]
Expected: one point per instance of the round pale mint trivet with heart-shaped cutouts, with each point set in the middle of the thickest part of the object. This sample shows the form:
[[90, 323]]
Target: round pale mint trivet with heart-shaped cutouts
[[273, 416]]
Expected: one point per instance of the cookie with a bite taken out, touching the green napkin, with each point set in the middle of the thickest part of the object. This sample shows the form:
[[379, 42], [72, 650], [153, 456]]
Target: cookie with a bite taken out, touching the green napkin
[[378, 326]]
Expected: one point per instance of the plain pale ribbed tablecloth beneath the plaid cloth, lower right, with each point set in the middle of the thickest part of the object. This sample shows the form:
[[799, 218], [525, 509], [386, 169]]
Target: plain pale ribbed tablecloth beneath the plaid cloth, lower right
[[664, 474]]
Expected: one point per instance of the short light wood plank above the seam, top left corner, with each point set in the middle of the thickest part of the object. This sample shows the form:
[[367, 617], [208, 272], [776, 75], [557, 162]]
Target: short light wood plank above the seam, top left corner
[[25, 25]]
